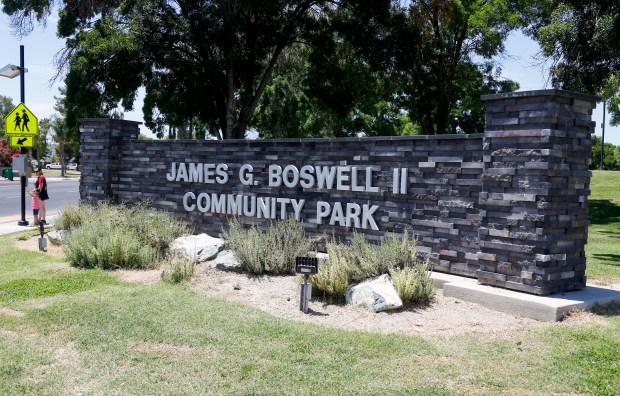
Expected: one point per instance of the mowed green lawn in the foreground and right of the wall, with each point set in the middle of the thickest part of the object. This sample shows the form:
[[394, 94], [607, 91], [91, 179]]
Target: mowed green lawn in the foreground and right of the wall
[[66, 331]]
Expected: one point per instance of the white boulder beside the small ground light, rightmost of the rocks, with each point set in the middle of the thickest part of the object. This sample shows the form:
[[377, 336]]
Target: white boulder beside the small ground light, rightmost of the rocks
[[377, 294]]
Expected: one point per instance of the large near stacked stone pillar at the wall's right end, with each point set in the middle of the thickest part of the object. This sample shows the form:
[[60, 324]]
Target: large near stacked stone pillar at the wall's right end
[[535, 184]]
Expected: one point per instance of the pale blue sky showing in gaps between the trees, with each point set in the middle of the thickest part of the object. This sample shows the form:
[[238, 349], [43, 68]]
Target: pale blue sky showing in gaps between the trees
[[42, 44]]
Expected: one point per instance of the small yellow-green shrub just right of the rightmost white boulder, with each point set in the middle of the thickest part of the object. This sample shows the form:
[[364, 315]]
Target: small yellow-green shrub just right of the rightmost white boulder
[[413, 283]]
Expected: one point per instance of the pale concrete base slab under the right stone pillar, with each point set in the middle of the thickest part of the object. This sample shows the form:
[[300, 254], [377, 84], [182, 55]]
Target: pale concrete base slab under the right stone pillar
[[549, 308]]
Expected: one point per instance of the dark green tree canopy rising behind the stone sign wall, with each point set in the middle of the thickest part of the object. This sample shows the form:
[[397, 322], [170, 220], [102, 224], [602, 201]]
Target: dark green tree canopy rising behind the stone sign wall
[[300, 68]]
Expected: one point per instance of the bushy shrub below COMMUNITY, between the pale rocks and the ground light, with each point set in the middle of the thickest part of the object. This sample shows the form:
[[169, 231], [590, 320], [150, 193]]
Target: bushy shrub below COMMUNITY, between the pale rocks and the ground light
[[273, 251]]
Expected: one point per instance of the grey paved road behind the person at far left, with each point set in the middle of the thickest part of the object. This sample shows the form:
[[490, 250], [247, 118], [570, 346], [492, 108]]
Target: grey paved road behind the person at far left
[[62, 191]]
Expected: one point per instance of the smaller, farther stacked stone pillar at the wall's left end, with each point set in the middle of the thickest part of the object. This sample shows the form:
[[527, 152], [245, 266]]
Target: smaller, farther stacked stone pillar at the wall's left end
[[100, 140]]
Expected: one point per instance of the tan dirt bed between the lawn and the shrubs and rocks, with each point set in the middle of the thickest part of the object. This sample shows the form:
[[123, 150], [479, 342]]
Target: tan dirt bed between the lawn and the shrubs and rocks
[[444, 317]]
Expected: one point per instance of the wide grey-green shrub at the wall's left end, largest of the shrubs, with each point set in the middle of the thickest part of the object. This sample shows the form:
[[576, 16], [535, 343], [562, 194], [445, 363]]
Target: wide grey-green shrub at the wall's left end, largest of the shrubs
[[109, 236]]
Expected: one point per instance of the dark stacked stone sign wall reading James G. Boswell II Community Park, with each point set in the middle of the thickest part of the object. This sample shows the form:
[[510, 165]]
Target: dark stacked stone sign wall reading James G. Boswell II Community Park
[[508, 206]]
